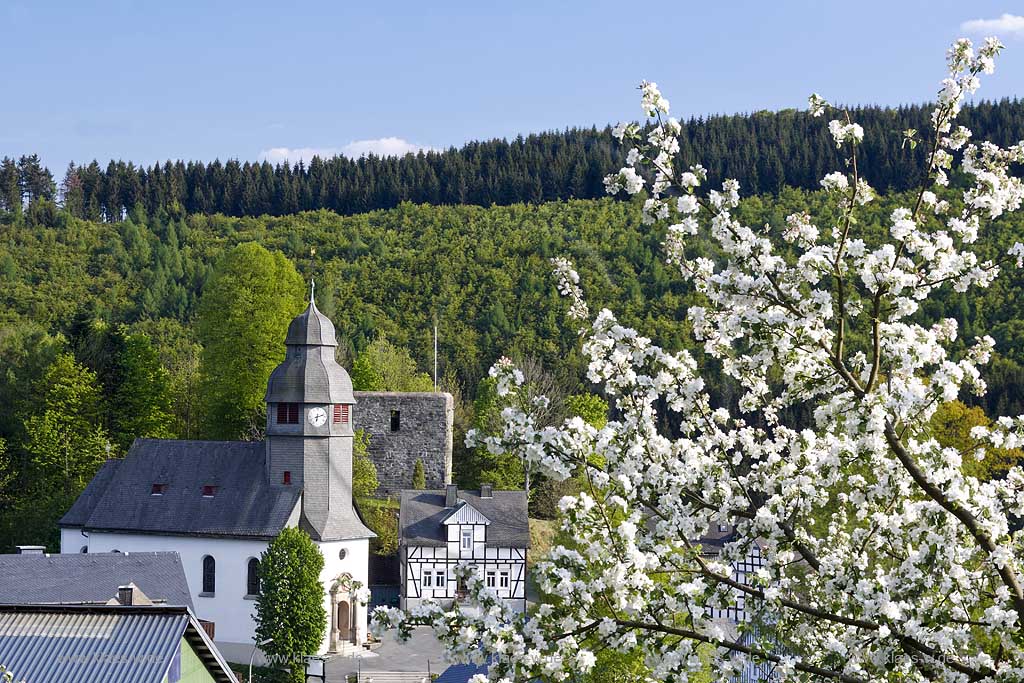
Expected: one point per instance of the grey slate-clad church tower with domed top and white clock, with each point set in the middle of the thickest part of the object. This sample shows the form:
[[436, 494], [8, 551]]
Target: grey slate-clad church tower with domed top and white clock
[[310, 430]]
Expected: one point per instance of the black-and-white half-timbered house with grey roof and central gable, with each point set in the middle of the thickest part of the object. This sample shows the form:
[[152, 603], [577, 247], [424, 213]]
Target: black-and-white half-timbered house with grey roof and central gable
[[439, 530]]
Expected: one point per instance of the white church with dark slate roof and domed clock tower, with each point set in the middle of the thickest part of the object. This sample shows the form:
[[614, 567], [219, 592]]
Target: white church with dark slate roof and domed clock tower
[[219, 504]]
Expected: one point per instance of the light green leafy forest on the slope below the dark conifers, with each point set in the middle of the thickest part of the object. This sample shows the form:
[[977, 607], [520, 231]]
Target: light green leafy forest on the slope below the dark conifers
[[483, 274]]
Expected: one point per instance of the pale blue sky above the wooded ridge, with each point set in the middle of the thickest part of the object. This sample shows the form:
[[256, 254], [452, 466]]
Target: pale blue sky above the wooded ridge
[[149, 81]]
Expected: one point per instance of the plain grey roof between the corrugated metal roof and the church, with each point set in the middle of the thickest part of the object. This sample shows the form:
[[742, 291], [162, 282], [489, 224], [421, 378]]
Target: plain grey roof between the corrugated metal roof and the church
[[92, 579]]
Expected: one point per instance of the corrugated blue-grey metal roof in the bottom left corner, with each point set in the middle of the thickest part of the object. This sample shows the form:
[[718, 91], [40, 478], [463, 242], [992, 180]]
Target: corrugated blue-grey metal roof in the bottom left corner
[[112, 645]]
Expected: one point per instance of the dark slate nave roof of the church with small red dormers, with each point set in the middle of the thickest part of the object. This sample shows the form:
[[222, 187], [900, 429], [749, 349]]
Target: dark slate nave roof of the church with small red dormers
[[245, 504]]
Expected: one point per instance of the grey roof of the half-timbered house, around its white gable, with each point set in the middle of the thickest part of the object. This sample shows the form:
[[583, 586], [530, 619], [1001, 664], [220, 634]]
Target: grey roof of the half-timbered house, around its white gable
[[422, 516]]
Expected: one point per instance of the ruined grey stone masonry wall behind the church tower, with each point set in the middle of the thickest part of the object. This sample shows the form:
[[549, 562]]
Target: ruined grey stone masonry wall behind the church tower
[[425, 426]]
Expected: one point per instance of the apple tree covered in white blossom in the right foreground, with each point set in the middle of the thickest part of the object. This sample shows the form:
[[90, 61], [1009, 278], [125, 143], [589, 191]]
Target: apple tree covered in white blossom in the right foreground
[[882, 560]]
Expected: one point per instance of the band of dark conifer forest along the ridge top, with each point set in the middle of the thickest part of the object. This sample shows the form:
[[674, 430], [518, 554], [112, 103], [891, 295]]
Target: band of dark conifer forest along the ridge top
[[764, 151]]
